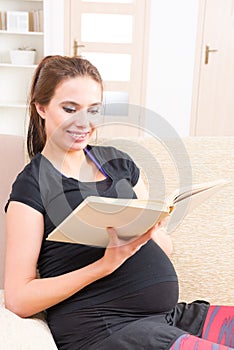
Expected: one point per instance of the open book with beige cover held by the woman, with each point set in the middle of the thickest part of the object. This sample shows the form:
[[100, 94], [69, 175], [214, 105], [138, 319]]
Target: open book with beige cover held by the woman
[[130, 217]]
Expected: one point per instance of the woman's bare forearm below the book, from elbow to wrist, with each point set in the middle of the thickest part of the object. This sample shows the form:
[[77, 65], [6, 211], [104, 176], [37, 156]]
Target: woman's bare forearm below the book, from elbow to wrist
[[37, 295]]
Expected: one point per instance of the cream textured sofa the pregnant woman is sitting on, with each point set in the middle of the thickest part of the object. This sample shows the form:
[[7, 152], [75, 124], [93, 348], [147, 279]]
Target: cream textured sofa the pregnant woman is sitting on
[[203, 243]]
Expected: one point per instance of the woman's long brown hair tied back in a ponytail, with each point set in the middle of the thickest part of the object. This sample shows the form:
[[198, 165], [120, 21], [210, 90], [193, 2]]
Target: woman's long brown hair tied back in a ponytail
[[51, 71]]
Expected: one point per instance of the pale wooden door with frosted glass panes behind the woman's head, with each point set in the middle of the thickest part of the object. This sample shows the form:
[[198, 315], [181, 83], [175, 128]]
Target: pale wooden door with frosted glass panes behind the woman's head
[[112, 34]]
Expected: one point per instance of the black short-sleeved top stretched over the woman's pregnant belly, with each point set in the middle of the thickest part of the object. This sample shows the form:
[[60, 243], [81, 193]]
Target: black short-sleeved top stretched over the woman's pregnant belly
[[41, 186]]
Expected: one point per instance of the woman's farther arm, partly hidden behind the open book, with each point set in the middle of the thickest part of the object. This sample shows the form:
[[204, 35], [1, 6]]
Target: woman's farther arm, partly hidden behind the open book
[[159, 235]]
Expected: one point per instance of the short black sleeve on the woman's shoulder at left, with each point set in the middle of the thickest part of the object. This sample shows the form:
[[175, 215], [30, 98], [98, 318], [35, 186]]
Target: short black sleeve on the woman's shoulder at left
[[25, 189]]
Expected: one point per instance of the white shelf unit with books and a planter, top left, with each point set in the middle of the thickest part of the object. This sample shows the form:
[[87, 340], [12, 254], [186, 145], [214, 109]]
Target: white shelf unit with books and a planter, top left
[[15, 80]]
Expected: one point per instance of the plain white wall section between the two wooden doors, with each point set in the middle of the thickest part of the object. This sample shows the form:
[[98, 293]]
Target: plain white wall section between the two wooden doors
[[172, 40]]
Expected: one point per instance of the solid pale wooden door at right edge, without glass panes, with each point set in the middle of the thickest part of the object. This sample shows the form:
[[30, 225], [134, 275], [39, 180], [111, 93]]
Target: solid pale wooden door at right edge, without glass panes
[[213, 100]]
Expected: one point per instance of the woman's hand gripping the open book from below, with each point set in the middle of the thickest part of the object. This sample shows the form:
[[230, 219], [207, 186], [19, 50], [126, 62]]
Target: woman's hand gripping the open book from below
[[119, 250]]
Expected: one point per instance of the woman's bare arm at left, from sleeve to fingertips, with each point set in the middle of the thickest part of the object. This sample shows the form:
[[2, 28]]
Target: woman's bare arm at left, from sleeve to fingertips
[[25, 294]]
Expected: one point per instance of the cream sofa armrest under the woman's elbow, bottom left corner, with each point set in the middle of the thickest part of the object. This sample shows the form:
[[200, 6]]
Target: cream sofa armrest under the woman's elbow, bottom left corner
[[23, 333]]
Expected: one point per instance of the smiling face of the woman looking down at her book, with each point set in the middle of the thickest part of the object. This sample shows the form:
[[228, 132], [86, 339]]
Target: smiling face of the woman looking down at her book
[[71, 115]]
